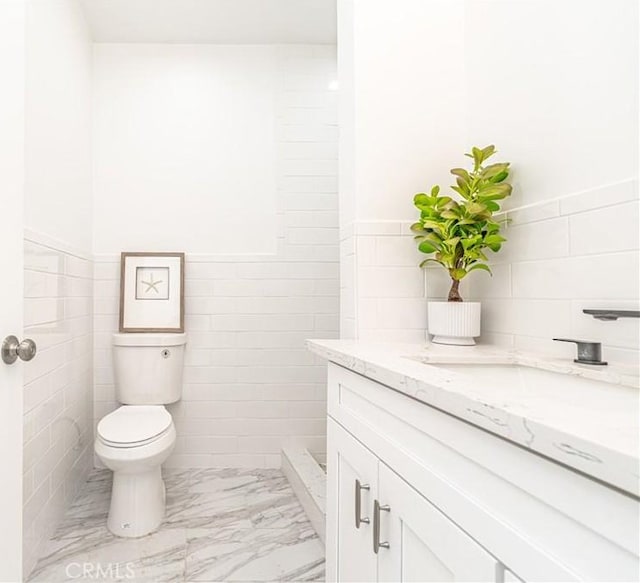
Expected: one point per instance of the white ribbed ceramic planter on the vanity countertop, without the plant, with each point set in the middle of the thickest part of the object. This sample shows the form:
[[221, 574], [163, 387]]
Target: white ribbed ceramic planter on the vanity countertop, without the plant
[[454, 323]]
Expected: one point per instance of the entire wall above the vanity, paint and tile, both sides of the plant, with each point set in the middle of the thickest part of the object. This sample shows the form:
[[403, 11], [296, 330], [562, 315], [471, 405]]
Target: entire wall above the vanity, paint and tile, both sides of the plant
[[559, 97]]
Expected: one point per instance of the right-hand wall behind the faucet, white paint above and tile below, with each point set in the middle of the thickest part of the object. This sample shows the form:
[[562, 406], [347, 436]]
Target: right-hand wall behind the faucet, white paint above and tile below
[[566, 114]]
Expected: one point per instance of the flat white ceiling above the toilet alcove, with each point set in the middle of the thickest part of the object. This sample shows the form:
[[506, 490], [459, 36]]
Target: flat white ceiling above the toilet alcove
[[212, 21]]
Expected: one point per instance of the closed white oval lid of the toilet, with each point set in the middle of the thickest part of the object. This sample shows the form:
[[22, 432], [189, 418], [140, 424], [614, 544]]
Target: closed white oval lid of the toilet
[[131, 424]]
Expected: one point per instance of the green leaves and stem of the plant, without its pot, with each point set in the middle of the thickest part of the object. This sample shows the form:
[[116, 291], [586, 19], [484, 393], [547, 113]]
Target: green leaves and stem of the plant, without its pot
[[455, 232]]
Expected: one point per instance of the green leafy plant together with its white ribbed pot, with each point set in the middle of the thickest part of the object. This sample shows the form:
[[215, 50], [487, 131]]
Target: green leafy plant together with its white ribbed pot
[[455, 231]]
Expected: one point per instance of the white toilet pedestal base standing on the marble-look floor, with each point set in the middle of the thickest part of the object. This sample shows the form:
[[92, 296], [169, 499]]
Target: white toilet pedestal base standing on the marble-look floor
[[137, 503]]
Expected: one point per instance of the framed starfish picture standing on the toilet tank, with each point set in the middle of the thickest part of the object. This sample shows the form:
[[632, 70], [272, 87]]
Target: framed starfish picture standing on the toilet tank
[[152, 292]]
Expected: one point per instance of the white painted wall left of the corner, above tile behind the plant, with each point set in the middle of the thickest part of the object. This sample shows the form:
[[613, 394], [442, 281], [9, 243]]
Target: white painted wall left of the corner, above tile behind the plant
[[409, 101]]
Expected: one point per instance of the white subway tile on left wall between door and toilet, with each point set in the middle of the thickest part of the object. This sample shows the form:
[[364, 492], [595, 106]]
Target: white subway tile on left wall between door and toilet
[[58, 396]]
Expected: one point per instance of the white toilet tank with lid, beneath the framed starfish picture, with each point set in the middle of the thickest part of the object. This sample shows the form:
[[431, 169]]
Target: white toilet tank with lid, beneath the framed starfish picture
[[148, 368]]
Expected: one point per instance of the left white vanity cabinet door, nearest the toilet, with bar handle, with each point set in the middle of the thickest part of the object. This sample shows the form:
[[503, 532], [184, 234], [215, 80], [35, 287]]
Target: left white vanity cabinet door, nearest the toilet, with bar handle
[[352, 477]]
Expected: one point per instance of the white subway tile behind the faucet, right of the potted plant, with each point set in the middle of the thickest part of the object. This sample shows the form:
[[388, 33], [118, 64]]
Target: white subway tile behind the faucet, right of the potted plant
[[579, 251]]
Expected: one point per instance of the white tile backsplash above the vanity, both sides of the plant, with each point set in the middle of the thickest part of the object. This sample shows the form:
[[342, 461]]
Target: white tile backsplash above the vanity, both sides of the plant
[[578, 251]]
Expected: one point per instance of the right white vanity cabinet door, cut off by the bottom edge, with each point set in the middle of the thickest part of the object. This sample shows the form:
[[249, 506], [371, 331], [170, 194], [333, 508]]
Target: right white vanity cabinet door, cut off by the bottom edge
[[423, 544]]
